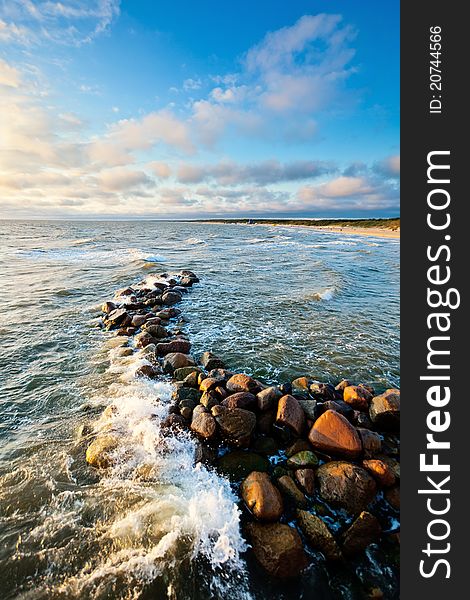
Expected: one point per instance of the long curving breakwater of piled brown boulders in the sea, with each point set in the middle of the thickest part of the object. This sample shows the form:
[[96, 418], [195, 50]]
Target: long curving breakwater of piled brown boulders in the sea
[[315, 465]]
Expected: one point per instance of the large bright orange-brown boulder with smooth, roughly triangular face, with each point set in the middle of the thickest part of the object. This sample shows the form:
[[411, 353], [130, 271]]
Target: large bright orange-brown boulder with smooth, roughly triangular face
[[332, 433]]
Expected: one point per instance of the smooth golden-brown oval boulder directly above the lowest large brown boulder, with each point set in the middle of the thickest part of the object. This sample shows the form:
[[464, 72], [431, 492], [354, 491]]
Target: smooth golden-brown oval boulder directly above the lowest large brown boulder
[[261, 497]]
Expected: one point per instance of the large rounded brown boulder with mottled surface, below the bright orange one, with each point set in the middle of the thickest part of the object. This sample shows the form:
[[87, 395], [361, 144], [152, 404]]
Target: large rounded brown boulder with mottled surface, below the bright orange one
[[346, 485]]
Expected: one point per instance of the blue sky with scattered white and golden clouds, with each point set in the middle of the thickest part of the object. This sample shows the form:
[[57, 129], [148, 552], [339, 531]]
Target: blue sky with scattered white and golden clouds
[[184, 109]]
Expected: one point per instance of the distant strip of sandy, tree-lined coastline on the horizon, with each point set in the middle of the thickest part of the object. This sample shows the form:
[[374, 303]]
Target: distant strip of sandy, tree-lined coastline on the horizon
[[387, 228]]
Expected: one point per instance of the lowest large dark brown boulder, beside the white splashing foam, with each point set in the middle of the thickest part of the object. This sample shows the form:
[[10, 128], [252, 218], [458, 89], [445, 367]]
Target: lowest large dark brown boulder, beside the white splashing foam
[[278, 548]]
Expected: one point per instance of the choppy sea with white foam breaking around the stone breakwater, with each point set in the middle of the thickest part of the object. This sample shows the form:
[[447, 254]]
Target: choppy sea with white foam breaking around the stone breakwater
[[278, 302]]
